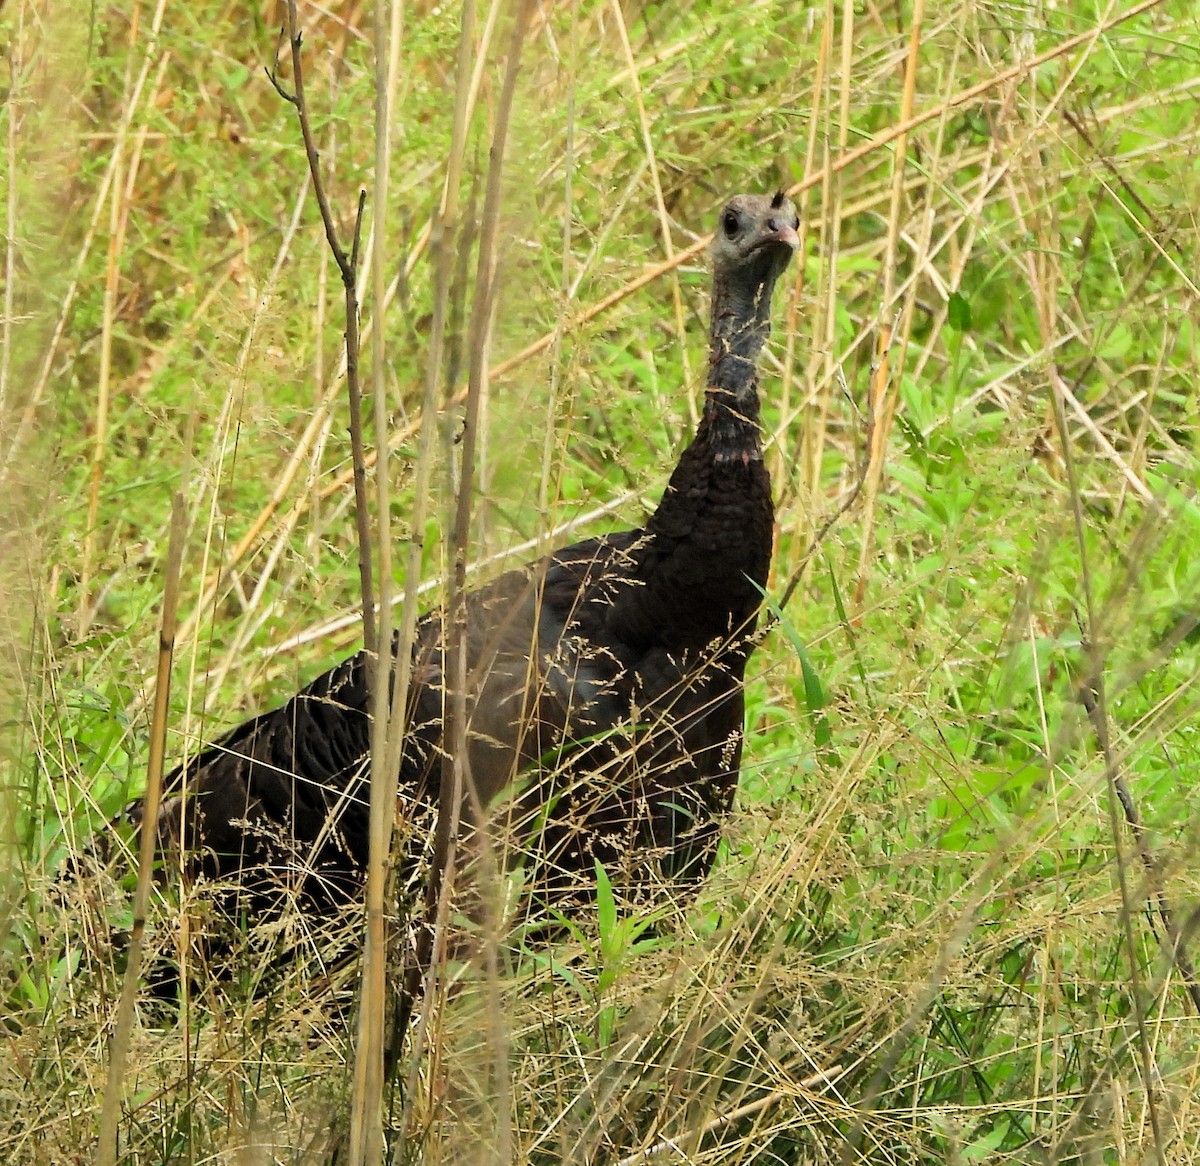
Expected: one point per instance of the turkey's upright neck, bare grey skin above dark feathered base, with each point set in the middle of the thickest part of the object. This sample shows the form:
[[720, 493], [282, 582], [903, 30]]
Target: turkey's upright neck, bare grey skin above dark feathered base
[[709, 545]]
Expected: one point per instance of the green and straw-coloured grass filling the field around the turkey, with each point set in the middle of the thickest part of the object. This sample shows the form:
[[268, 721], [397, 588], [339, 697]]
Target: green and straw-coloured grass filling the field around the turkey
[[917, 939]]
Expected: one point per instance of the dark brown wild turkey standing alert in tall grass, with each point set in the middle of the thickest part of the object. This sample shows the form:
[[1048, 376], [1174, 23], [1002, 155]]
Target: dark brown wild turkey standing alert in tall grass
[[610, 674]]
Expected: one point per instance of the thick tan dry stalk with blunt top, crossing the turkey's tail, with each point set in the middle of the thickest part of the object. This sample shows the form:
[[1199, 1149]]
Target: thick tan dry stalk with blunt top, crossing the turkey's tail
[[148, 842]]
